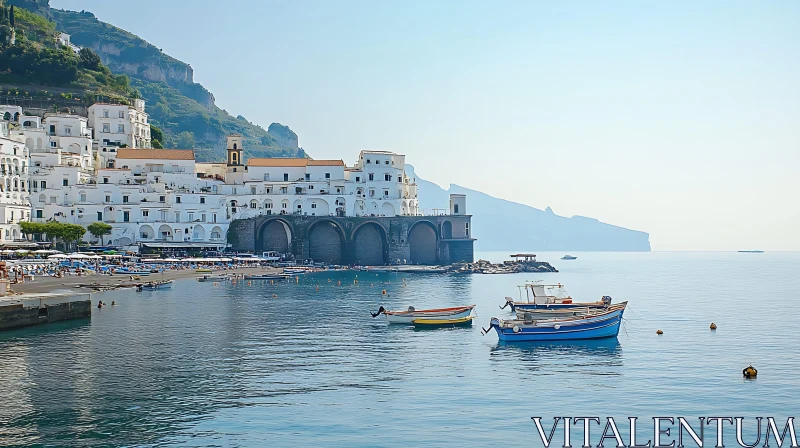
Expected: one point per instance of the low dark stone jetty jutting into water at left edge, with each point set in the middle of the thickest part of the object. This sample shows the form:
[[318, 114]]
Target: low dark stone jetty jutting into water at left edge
[[24, 311]]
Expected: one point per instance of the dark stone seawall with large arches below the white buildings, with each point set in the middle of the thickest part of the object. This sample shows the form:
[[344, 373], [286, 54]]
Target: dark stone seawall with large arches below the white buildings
[[365, 241]]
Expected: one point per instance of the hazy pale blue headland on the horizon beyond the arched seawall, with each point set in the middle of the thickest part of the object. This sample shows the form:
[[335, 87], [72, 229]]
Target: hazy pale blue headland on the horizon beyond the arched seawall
[[499, 224]]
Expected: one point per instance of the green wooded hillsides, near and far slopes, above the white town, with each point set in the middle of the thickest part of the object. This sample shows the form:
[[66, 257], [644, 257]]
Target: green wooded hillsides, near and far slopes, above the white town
[[183, 110]]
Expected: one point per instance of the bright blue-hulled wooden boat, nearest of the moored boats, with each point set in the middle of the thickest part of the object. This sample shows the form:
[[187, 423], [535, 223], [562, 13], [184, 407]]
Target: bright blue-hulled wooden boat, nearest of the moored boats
[[594, 326]]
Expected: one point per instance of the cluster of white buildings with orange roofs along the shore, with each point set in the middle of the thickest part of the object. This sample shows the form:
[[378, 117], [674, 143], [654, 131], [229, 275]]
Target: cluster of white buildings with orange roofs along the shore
[[101, 167]]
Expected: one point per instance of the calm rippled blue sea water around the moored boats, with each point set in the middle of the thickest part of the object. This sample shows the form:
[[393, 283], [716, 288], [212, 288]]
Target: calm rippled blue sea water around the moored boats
[[232, 366]]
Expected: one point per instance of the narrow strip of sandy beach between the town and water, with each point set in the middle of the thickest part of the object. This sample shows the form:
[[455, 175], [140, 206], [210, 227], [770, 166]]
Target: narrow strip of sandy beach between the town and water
[[73, 282]]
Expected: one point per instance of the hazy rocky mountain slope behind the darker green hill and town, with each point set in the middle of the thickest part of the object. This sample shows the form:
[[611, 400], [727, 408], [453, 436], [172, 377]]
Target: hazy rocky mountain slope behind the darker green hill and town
[[183, 109]]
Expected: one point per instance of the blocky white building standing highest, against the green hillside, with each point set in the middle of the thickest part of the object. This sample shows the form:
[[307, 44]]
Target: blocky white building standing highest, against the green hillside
[[120, 124]]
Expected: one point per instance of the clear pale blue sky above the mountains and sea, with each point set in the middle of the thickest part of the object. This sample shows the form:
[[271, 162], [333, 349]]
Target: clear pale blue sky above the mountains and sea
[[681, 118]]
